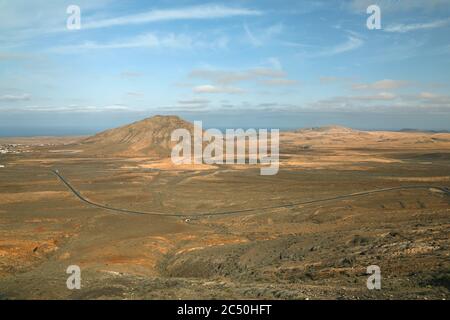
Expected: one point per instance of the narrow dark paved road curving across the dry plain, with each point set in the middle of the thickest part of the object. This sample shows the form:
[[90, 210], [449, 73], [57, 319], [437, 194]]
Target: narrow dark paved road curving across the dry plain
[[218, 213]]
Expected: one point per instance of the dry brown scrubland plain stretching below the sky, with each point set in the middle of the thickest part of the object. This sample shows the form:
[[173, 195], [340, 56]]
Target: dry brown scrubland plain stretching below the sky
[[315, 251]]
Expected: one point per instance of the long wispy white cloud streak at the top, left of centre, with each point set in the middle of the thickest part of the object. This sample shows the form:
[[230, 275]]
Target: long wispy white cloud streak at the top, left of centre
[[208, 11]]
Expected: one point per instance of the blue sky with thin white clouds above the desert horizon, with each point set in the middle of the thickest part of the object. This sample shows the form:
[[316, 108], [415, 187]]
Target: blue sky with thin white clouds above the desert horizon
[[272, 64]]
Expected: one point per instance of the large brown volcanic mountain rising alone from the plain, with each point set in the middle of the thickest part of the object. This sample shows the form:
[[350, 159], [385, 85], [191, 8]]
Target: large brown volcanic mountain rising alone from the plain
[[148, 137]]
